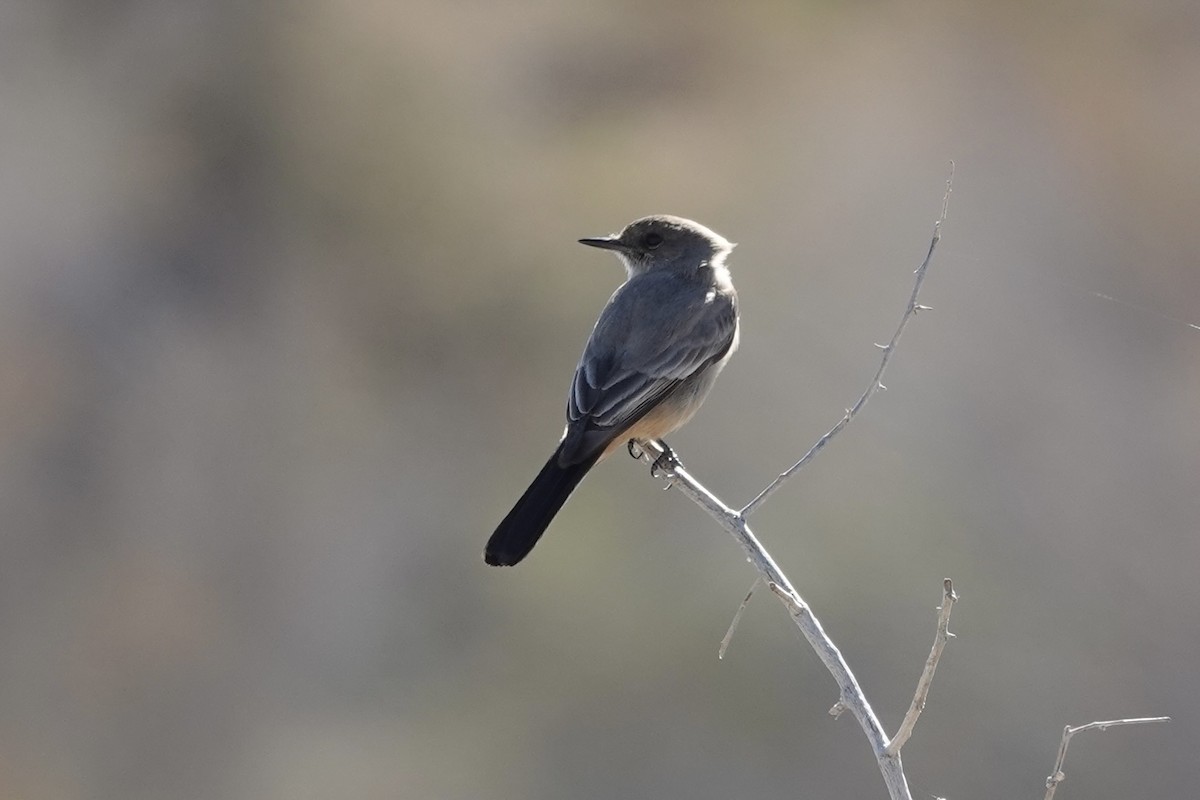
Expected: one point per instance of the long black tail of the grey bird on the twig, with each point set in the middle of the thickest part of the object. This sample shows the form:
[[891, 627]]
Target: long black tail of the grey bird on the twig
[[517, 536]]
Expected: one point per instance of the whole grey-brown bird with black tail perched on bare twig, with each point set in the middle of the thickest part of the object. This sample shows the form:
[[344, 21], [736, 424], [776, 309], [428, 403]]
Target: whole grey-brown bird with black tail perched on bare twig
[[652, 358]]
